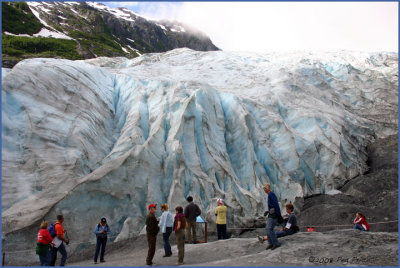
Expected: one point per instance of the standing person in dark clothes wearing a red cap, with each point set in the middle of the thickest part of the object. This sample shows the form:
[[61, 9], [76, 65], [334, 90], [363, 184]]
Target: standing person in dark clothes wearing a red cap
[[152, 230]]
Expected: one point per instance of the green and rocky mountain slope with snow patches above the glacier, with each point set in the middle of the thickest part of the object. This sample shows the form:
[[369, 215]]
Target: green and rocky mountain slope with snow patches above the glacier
[[90, 30]]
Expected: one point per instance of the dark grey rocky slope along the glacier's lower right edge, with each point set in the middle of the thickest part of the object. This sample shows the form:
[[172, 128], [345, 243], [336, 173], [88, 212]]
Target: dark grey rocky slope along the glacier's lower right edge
[[375, 194]]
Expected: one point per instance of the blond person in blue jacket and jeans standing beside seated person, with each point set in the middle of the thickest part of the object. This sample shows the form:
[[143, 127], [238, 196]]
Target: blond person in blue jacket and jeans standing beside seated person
[[274, 212]]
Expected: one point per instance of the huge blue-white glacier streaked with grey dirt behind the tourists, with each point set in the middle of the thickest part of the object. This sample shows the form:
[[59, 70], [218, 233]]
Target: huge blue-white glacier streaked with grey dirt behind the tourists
[[105, 137]]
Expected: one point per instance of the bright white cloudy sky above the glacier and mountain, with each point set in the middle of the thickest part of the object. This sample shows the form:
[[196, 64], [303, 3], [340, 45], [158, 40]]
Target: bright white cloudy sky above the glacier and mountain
[[282, 26]]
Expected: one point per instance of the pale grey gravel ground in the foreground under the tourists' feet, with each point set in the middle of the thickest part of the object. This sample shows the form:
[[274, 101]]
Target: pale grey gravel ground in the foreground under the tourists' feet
[[332, 248]]
